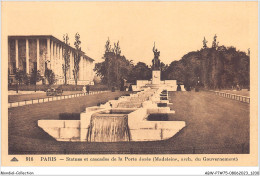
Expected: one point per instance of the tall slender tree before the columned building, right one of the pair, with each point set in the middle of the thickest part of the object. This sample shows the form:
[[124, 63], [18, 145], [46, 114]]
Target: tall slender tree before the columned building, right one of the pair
[[77, 57]]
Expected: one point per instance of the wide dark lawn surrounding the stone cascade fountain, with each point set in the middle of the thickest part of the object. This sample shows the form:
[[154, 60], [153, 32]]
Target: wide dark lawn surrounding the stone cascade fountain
[[213, 125]]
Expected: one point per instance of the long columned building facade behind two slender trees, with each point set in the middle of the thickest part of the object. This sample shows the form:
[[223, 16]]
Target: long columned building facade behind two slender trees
[[45, 51]]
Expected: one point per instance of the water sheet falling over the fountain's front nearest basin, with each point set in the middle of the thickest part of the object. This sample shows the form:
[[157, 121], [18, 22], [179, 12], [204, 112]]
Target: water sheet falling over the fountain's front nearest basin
[[108, 128]]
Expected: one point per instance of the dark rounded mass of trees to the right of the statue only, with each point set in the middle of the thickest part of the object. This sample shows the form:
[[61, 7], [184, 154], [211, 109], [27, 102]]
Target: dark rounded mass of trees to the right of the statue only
[[217, 67]]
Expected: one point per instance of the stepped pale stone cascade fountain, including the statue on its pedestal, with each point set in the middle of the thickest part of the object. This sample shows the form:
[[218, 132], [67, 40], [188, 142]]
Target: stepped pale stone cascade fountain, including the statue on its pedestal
[[142, 116]]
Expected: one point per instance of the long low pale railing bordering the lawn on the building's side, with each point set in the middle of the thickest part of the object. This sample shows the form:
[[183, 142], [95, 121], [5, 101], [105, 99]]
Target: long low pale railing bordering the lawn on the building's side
[[48, 99]]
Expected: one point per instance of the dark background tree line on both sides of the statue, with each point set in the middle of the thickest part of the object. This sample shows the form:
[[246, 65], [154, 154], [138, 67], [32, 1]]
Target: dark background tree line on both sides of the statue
[[214, 67]]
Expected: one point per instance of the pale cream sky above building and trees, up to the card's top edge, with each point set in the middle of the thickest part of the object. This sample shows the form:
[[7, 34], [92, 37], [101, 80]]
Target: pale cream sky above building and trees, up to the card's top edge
[[176, 27]]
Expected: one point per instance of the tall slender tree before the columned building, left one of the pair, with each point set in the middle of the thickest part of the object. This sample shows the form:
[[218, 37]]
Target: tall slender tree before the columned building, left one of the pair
[[66, 57]]
